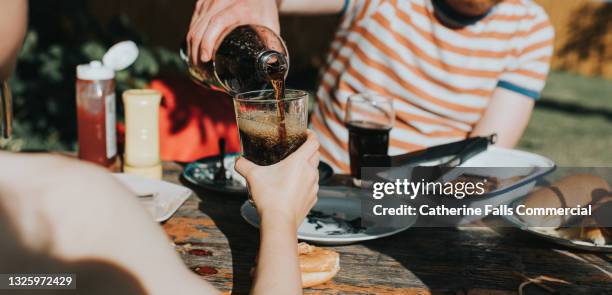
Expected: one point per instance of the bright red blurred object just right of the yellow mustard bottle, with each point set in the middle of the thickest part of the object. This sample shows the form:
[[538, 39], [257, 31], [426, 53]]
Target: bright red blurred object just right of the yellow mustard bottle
[[193, 119]]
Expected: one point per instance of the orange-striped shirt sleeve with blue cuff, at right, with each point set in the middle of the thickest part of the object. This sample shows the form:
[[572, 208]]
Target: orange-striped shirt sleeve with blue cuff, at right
[[530, 62]]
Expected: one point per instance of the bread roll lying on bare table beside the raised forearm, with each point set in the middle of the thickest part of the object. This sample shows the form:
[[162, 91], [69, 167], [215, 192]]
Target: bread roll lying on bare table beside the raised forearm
[[318, 265]]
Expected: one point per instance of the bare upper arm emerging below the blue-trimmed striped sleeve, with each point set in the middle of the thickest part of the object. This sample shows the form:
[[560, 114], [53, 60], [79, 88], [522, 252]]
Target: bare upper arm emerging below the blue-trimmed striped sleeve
[[507, 115]]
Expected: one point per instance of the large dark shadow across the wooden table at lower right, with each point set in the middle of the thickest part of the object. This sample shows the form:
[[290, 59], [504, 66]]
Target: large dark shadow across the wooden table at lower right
[[462, 261]]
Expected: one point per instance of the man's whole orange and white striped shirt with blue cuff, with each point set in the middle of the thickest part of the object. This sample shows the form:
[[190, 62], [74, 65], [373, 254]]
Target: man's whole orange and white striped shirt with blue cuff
[[441, 79]]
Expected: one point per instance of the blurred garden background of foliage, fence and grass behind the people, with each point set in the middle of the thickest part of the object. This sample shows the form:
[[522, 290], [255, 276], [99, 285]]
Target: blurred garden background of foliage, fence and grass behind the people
[[571, 124]]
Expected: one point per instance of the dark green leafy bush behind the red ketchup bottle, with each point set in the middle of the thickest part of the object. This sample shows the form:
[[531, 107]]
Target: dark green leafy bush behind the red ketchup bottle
[[43, 85]]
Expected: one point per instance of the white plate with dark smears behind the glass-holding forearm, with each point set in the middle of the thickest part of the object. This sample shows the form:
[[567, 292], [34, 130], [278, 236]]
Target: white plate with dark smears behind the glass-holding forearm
[[344, 206]]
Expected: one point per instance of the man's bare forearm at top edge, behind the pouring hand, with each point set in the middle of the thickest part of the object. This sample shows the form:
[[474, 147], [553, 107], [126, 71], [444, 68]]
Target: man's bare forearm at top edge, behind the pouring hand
[[312, 6]]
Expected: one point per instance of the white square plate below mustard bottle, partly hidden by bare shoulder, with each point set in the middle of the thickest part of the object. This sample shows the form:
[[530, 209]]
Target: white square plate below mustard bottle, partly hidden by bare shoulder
[[167, 197]]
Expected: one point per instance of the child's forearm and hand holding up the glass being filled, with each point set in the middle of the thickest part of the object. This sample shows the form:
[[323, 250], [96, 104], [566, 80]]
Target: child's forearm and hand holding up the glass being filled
[[284, 193]]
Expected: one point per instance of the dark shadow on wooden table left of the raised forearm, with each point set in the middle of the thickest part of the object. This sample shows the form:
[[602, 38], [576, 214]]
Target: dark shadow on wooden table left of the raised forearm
[[243, 239]]
